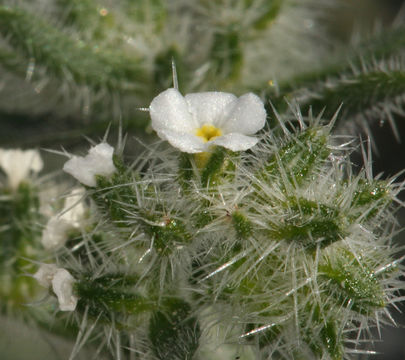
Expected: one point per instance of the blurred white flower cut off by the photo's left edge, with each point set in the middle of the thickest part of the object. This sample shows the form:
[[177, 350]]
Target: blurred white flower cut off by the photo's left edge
[[18, 164]]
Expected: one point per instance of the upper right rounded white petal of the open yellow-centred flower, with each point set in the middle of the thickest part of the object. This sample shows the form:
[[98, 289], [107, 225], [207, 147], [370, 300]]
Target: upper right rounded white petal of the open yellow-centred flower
[[246, 117]]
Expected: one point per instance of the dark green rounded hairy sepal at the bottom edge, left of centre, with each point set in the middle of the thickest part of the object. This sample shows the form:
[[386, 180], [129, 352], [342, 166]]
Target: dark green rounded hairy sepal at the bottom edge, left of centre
[[173, 331]]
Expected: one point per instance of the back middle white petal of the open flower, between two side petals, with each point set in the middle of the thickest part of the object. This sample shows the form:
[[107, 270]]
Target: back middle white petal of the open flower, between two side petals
[[209, 107]]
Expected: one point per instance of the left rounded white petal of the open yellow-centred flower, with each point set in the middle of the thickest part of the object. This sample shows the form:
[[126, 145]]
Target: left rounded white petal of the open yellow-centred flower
[[169, 111]]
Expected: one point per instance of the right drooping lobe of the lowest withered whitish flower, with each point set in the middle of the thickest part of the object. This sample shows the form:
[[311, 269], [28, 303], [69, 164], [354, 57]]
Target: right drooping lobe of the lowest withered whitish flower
[[62, 285]]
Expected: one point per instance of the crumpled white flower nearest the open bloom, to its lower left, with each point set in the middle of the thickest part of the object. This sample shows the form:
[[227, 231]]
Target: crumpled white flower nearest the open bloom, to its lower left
[[97, 162]]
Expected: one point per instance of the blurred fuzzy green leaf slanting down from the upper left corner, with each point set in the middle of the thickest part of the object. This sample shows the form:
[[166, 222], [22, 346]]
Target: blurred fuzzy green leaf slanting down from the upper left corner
[[61, 54]]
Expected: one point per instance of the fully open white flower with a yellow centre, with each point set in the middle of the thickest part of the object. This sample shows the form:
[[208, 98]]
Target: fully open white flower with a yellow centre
[[196, 121]]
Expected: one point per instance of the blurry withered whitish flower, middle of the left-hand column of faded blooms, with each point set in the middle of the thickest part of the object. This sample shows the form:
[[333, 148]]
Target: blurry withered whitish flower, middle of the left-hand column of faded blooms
[[72, 216]]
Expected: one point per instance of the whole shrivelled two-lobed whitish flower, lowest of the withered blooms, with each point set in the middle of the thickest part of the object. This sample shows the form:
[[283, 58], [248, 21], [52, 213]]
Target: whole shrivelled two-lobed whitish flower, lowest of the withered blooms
[[62, 285]]
